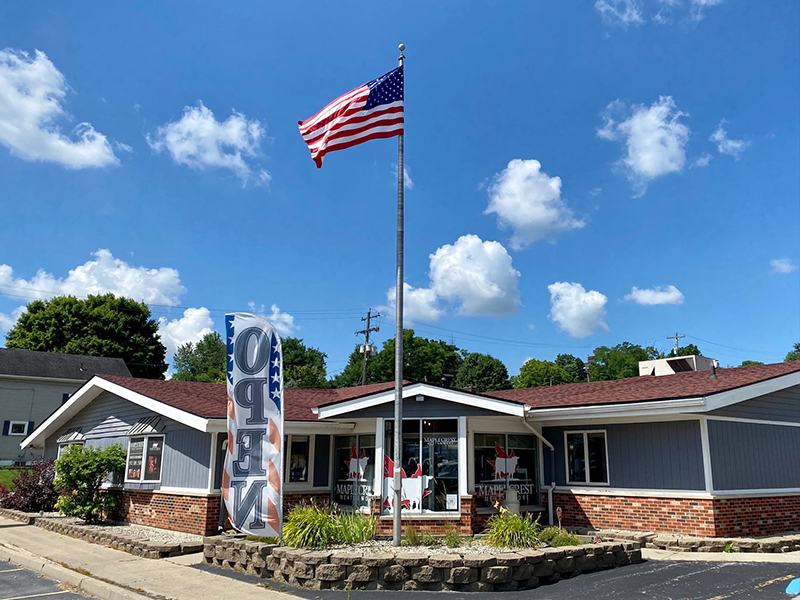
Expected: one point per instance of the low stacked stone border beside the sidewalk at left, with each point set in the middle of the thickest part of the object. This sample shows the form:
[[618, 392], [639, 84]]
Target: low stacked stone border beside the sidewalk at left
[[95, 534]]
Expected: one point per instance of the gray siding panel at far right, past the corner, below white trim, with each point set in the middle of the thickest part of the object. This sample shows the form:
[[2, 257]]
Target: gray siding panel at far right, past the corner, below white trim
[[752, 456]]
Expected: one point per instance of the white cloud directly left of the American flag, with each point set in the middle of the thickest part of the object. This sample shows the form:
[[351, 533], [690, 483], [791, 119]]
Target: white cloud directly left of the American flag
[[199, 141]]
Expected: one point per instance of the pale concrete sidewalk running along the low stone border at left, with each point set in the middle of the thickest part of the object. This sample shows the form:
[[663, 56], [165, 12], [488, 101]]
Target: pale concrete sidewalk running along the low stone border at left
[[165, 578]]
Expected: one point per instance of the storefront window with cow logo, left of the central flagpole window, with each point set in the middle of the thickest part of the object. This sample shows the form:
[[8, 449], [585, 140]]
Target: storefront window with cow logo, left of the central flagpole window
[[355, 464]]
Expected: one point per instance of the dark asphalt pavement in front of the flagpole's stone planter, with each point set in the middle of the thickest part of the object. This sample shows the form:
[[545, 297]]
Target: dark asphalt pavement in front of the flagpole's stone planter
[[653, 580]]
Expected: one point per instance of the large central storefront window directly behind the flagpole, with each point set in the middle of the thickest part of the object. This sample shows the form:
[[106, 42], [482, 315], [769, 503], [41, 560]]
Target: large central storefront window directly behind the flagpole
[[429, 463]]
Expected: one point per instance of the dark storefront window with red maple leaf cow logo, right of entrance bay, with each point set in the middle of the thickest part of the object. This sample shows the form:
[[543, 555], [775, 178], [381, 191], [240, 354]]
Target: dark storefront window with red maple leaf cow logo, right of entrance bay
[[505, 461]]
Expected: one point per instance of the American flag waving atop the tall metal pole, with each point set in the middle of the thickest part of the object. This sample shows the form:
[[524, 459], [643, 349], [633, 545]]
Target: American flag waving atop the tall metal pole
[[369, 112]]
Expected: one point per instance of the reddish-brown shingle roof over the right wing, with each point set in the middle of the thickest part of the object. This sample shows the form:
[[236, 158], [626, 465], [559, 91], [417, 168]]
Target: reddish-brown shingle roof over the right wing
[[642, 389]]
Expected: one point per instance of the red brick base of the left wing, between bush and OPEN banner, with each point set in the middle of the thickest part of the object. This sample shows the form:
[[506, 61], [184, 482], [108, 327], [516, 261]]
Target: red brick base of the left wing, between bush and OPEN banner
[[190, 514]]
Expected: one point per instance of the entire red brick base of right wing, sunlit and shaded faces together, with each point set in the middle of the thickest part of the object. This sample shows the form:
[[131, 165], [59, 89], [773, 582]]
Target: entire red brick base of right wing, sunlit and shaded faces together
[[717, 517]]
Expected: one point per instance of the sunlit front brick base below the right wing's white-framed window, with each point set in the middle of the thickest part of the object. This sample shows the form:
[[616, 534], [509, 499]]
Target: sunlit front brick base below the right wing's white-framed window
[[633, 513]]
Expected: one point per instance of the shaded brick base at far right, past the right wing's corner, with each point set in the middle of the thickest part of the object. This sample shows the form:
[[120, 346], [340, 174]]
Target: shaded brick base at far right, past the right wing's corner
[[757, 516]]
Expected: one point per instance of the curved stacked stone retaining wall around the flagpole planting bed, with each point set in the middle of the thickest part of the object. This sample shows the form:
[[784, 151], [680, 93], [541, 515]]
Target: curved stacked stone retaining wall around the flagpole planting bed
[[318, 570]]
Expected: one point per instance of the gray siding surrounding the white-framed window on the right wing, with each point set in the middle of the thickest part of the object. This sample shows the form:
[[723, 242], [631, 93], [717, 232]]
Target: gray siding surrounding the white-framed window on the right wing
[[658, 456]]
